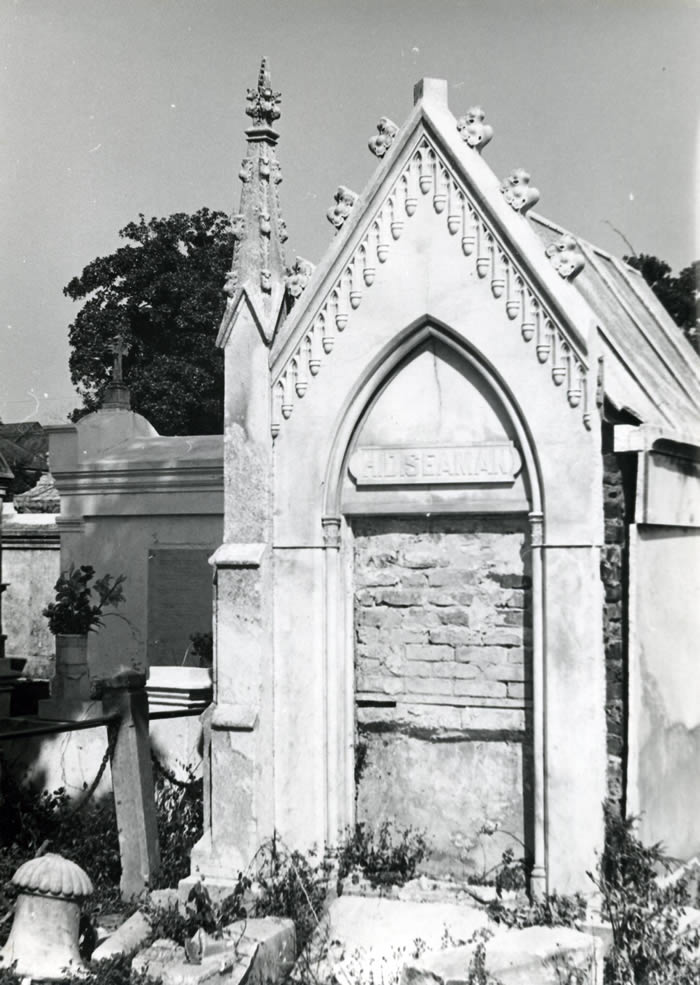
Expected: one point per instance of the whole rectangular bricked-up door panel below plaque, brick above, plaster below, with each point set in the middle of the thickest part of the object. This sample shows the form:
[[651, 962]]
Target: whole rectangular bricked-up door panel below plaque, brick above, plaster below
[[442, 681]]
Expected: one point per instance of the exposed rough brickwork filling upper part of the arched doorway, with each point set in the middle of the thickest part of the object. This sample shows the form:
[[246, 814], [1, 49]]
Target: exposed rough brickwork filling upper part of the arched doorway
[[441, 613]]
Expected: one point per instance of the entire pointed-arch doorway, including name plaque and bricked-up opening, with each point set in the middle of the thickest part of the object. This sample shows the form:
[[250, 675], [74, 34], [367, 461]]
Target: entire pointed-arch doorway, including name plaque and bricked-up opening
[[433, 502]]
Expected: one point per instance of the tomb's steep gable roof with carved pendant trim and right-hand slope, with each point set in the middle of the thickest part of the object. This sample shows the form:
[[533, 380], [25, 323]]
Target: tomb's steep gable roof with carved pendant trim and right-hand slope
[[650, 371]]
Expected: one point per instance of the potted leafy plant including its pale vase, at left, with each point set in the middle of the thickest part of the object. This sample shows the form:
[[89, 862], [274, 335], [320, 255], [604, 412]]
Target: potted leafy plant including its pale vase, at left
[[78, 609]]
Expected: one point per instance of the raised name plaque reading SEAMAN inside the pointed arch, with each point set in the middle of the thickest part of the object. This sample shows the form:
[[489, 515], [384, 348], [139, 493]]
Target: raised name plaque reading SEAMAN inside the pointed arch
[[482, 462]]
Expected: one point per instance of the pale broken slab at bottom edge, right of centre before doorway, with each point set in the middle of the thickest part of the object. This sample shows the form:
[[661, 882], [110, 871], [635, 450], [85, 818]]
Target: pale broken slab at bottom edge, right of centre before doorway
[[532, 956]]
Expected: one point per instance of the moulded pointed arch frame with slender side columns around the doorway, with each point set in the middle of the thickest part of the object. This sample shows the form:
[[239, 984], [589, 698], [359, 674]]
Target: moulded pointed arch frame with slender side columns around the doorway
[[339, 646]]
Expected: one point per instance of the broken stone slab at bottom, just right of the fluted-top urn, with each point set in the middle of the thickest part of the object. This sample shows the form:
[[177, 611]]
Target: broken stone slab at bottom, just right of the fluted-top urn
[[259, 952]]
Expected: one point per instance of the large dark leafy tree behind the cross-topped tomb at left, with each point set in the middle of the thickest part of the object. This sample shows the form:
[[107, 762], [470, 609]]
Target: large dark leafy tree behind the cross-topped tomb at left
[[162, 294]]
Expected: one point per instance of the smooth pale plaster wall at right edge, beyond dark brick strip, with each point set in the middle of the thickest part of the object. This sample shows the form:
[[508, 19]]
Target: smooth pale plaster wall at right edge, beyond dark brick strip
[[664, 743]]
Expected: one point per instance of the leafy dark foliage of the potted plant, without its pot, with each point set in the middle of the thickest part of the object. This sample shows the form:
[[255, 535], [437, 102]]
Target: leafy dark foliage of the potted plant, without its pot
[[74, 611]]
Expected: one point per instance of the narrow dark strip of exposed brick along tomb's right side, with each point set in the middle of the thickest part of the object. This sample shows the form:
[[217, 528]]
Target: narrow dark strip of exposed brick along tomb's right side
[[614, 575]]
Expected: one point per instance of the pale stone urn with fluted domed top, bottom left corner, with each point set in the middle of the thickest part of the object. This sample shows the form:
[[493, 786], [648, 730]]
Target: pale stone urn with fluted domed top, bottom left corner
[[44, 936]]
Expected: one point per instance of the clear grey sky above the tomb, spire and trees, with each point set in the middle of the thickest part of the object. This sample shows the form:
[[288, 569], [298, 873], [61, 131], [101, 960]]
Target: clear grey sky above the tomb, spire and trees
[[114, 107]]
